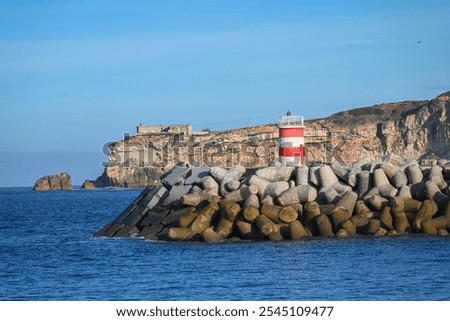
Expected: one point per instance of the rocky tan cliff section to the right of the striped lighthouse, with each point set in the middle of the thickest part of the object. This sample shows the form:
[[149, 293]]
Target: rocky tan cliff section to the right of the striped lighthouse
[[409, 129]]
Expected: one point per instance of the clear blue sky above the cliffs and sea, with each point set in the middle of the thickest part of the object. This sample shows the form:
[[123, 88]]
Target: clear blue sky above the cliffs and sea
[[77, 74]]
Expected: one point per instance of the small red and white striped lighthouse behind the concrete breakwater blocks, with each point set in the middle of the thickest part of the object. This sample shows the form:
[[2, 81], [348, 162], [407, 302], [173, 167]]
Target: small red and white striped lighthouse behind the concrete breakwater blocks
[[291, 140]]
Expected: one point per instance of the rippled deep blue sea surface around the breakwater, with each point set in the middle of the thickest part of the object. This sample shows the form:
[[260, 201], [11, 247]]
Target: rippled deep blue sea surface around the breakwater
[[48, 252]]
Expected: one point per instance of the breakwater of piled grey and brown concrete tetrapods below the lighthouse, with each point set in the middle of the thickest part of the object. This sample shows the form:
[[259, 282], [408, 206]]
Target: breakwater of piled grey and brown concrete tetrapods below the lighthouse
[[286, 203]]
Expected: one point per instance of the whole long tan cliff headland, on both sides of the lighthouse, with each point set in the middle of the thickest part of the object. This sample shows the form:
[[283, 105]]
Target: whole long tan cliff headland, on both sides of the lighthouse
[[409, 129]]
